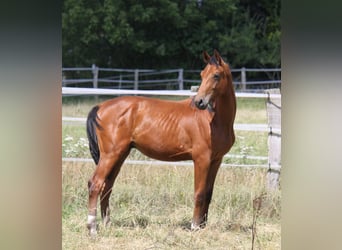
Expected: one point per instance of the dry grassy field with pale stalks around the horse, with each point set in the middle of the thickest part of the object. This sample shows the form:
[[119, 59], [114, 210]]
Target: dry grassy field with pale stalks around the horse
[[151, 206]]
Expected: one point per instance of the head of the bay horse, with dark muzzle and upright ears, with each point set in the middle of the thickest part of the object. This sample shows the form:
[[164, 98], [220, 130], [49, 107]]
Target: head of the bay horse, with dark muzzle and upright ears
[[215, 77]]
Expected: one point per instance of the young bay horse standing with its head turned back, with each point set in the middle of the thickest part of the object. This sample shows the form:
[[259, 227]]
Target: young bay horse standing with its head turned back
[[198, 129]]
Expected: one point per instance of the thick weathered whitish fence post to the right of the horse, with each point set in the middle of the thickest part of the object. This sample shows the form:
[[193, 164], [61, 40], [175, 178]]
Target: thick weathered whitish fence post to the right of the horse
[[273, 107]]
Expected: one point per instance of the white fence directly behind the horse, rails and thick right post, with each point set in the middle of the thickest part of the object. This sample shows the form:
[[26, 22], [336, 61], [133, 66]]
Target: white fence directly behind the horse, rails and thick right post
[[273, 127]]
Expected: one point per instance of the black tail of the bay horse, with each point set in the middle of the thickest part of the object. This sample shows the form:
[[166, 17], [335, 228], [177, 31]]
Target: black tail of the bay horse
[[92, 124]]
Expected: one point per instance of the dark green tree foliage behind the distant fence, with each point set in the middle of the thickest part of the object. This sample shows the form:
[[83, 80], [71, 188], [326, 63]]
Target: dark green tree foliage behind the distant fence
[[167, 33]]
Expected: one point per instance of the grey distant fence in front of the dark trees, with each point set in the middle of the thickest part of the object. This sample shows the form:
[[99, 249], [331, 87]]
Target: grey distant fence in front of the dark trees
[[164, 79]]
